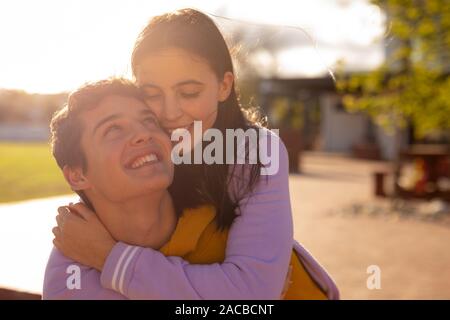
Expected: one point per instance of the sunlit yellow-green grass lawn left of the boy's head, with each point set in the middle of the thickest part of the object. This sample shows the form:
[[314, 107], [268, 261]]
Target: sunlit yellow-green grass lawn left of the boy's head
[[28, 170]]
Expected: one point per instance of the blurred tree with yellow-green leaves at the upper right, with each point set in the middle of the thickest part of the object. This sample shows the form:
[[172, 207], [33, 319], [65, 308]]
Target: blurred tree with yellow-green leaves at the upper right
[[413, 85]]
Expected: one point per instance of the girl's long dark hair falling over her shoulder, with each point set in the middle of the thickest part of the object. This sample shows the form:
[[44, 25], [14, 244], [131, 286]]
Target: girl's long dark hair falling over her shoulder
[[198, 184]]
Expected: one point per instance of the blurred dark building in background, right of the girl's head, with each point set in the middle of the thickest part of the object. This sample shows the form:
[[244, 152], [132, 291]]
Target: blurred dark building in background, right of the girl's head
[[314, 108]]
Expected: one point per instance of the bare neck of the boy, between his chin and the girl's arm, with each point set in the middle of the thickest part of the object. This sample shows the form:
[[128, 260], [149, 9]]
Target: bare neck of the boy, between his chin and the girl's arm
[[147, 221]]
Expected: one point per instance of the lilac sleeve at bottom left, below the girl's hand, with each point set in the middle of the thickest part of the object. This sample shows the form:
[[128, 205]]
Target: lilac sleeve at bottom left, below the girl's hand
[[60, 282]]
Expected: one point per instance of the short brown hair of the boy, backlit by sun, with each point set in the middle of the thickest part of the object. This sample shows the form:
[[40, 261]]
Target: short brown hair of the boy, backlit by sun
[[66, 126]]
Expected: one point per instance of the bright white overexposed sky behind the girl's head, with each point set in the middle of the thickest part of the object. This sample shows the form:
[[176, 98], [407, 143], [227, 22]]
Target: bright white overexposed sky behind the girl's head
[[49, 46]]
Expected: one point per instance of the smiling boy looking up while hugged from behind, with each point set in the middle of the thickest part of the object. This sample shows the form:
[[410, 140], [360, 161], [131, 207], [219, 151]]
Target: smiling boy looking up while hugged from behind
[[114, 154]]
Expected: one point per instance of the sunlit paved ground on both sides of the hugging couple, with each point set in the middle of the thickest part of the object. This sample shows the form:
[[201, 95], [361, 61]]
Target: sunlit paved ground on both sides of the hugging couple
[[413, 256]]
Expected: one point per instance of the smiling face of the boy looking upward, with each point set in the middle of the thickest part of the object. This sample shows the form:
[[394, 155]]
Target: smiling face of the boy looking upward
[[127, 153]]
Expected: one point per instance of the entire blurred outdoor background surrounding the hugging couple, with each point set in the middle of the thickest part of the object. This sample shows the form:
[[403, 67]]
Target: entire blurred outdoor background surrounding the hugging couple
[[359, 89]]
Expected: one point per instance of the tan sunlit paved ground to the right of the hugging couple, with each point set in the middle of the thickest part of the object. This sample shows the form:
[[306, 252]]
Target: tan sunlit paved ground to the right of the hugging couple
[[414, 256]]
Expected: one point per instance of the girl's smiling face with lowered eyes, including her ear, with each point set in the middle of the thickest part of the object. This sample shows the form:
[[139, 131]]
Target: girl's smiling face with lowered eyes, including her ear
[[181, 88]]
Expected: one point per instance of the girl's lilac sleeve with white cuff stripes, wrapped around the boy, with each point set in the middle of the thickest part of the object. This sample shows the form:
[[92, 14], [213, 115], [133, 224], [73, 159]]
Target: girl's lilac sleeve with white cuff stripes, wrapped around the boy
[[258, 252]]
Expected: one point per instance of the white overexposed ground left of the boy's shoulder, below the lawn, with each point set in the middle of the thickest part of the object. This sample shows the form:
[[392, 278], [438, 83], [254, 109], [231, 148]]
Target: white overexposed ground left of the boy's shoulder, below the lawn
[[26, 241]]
